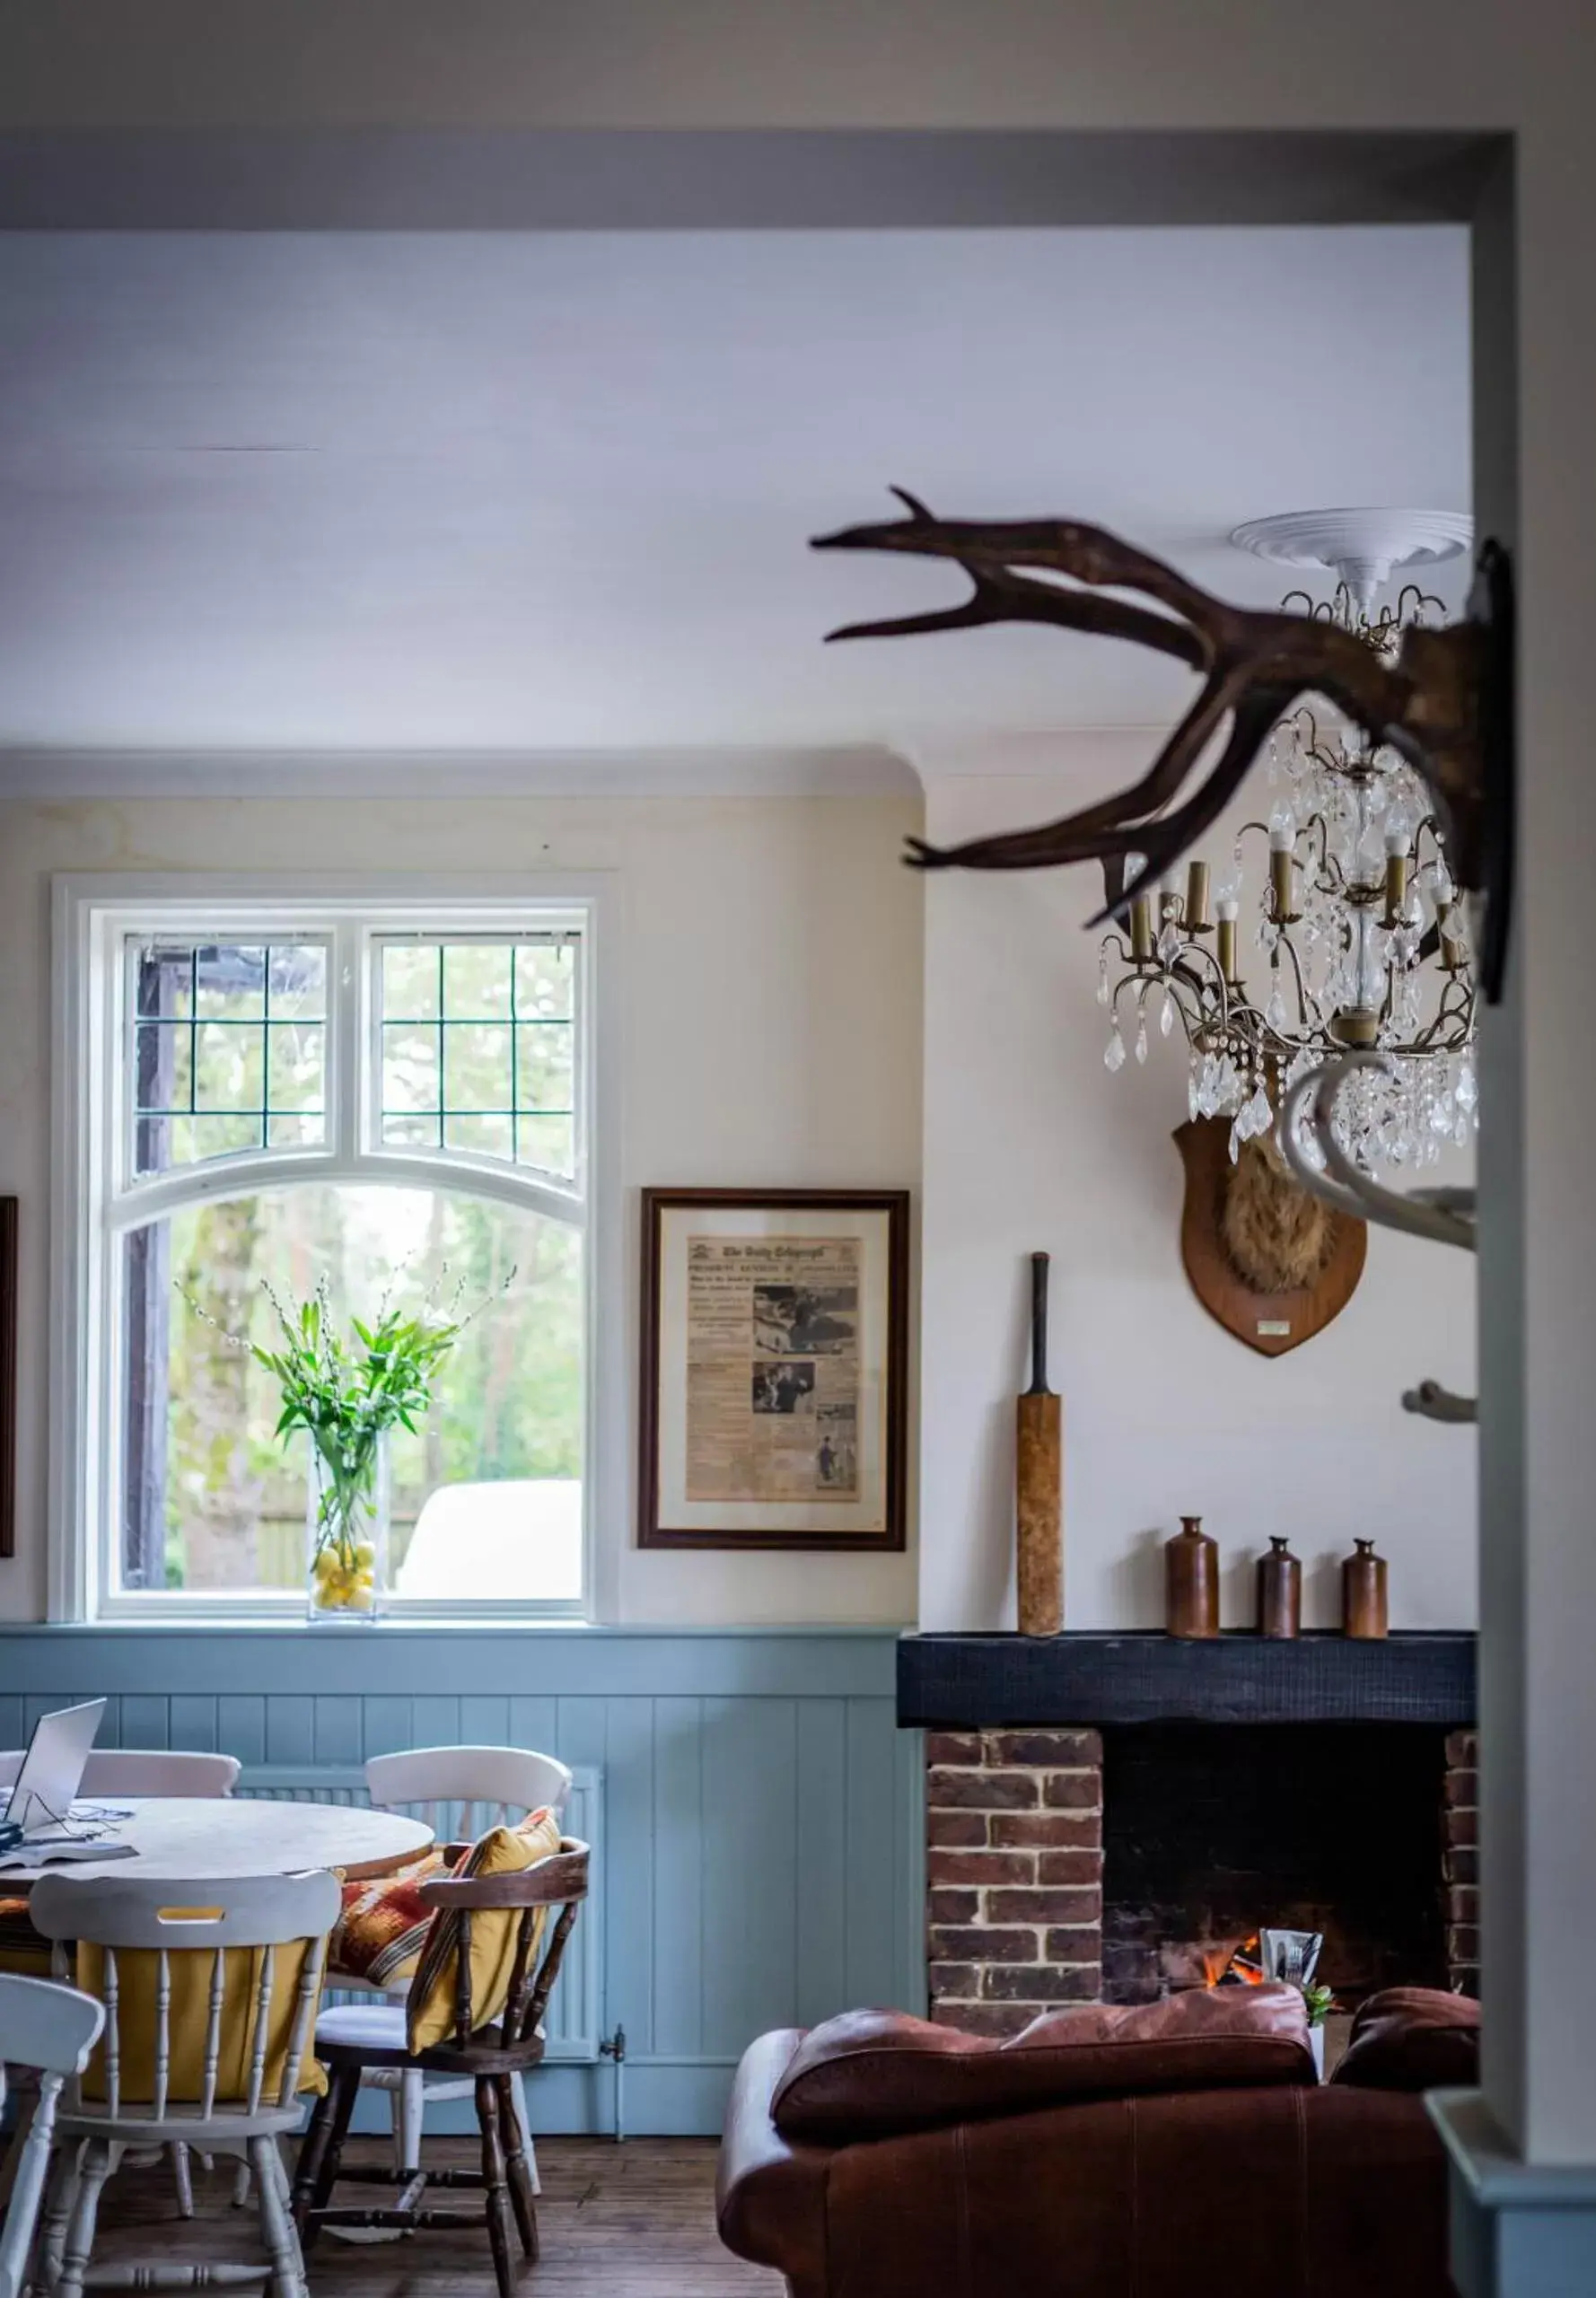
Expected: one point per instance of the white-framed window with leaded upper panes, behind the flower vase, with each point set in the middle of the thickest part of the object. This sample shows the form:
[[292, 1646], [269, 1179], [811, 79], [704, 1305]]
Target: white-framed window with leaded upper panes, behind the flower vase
[[389, 1102]]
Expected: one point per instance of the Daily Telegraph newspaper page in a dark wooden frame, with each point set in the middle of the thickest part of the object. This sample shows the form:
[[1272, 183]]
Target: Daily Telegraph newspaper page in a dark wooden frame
[[773, 1410]]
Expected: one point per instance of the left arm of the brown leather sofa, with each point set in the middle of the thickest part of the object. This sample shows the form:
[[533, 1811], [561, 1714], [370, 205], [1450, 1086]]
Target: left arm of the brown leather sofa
[[770, 2191]]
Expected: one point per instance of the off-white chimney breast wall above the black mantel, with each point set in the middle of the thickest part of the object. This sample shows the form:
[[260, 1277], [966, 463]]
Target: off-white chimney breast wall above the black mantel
[[1030, 1143]]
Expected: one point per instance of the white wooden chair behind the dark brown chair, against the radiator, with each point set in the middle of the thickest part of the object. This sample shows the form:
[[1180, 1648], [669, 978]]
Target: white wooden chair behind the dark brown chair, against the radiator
[[458, 1794]]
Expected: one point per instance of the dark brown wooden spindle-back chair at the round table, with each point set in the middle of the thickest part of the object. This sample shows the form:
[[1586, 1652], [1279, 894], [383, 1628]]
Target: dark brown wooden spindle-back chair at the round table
[[357, 2037]]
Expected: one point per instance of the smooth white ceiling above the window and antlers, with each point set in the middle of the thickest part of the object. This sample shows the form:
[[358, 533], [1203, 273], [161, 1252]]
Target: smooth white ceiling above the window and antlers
[[555, 491]]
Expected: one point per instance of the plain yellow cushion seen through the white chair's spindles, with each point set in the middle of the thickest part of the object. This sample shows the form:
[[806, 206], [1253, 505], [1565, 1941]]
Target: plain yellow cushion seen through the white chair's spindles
[[189, 2019]]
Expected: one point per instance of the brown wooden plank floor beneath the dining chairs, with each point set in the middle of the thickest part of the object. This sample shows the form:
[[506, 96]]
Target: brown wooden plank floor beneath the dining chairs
[[628, 2221]]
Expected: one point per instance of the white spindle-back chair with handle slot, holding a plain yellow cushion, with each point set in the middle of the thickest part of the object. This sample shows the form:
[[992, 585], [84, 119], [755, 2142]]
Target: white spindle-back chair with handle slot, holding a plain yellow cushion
[[192, 1922]]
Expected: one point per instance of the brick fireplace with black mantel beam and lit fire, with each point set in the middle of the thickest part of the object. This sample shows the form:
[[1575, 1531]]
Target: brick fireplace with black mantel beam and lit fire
[[1108, 1817]]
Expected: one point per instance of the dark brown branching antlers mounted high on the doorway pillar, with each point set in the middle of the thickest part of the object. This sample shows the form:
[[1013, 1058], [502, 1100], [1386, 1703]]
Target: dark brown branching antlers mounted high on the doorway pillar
[[1443, 700]]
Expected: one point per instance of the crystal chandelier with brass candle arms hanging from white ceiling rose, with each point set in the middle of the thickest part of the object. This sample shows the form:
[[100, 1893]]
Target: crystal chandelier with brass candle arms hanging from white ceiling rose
[[1361, 939]]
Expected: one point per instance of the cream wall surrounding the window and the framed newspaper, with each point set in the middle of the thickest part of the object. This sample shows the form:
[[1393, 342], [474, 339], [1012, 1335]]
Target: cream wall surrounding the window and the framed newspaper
[[770, 1033]]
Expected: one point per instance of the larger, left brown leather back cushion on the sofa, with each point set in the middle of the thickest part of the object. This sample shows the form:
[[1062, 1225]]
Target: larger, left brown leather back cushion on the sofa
[[871, 2074]]
